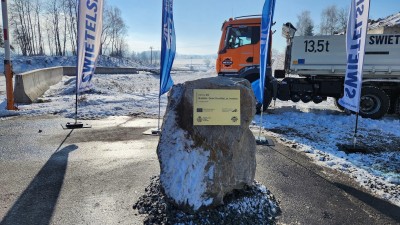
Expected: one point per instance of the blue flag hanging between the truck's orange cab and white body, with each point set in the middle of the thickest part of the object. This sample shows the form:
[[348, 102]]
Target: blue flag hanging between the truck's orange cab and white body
[[266, 24]]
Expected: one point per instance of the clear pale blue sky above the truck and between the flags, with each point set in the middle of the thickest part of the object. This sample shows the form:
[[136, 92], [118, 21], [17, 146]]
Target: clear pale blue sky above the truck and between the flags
[[198, 23]]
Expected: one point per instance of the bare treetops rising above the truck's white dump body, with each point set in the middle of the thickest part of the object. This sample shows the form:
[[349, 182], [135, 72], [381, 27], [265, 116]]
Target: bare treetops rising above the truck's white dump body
[[333, 21]]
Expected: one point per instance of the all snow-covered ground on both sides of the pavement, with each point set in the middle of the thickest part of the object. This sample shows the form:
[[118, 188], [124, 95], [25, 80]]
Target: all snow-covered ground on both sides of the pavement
[[316, 130]]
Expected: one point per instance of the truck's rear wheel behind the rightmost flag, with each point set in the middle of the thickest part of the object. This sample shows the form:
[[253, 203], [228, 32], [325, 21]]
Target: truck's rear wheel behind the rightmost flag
[[374, 102]]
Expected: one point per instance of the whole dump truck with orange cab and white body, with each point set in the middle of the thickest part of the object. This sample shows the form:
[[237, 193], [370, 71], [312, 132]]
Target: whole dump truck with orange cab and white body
[[318, 64]]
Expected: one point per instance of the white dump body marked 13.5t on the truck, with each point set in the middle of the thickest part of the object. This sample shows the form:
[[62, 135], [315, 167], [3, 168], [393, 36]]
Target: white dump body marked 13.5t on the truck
[[326, 55]]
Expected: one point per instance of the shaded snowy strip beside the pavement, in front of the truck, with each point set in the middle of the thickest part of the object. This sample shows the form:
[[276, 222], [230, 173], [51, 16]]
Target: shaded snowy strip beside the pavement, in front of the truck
[[320, 130]]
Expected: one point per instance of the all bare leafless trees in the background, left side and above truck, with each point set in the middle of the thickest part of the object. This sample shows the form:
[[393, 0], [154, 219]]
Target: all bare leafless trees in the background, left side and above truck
[[49, 27]]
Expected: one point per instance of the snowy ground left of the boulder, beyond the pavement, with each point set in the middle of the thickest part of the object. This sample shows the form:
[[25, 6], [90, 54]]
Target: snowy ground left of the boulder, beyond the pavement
[[113, 95]]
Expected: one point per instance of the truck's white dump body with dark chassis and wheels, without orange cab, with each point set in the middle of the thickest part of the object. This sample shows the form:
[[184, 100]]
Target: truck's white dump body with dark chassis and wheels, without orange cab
[[320, 62]]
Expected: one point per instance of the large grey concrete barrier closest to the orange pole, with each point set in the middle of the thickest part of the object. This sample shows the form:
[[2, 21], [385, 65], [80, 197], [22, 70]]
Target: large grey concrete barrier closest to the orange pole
[[31, 85]]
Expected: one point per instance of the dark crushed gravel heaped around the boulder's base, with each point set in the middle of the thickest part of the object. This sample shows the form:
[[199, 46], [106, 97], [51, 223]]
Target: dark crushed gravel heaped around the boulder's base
[[253, 205]]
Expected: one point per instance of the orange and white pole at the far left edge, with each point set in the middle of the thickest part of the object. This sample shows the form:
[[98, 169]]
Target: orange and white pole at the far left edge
[[7, 59]]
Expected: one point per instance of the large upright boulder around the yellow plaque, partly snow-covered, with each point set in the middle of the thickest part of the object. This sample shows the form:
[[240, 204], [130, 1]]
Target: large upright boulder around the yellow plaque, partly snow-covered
[[201, 164]]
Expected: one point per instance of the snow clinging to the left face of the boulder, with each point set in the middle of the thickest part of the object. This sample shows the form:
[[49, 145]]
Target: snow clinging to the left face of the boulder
[[182, 175]]
